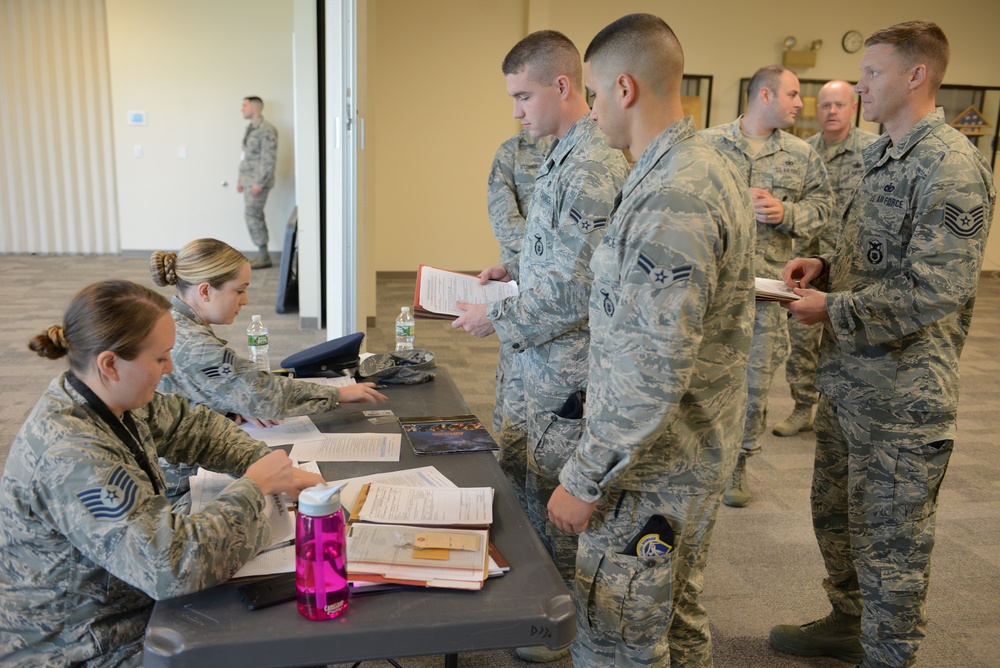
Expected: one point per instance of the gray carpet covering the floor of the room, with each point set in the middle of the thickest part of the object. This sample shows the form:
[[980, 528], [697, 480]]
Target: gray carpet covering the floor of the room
[[764, 567]]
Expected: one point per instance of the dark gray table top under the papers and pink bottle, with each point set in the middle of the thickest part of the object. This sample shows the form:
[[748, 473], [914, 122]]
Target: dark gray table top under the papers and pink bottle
[[529, 605]]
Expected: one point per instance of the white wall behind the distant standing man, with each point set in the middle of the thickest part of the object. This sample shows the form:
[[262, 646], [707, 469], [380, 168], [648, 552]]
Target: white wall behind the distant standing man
[[188, 64]]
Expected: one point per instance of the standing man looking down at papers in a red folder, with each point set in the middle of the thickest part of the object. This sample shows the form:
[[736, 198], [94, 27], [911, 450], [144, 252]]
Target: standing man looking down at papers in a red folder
[[547, 322]]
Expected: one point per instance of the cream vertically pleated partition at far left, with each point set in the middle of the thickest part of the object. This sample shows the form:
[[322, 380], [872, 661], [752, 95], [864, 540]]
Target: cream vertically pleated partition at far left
[[57, 172]]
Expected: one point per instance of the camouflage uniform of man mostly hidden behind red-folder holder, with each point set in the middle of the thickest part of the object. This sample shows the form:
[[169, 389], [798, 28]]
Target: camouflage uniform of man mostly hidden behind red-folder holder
[[512, 180]]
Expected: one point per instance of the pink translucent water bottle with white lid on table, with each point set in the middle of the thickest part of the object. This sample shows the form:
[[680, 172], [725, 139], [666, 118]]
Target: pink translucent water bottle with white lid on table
[[321, 553]]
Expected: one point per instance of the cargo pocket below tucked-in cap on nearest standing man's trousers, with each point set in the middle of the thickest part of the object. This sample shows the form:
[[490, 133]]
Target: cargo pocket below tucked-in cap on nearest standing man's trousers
[[631, 598]]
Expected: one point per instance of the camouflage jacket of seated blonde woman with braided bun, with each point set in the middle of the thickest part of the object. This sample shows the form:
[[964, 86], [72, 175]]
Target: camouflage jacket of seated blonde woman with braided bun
[[207, 371]]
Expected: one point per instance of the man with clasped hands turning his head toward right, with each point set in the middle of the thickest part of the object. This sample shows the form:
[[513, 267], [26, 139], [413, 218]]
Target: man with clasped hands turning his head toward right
[[792, 198]]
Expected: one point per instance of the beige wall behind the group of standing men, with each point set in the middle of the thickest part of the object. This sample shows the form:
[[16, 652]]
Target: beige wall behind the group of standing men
[[439, 109]]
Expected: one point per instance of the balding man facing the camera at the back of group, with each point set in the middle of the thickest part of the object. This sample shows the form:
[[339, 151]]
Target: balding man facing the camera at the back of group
[[839, 145]]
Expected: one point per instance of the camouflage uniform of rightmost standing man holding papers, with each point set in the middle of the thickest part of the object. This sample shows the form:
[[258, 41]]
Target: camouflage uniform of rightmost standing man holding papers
[[903, 282]]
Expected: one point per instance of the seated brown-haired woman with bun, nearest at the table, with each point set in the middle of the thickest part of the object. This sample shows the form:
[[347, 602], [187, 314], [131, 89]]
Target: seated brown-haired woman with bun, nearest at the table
[[90, 541]]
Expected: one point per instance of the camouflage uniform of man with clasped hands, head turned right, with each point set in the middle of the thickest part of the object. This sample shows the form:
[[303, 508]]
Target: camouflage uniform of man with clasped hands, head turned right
[[791, 171]]
